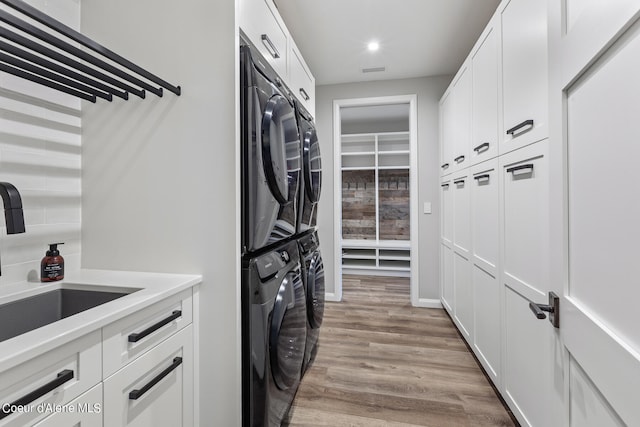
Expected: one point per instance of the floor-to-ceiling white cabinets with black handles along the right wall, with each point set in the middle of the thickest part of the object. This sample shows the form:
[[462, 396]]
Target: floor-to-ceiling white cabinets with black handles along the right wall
[[495, 205]]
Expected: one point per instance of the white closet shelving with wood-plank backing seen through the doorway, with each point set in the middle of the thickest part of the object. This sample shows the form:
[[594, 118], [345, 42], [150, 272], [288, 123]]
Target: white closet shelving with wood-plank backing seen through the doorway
[[374, 240]]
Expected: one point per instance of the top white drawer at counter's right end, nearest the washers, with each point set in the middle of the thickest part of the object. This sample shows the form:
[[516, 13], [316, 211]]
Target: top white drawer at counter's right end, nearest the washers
[[129, 338]]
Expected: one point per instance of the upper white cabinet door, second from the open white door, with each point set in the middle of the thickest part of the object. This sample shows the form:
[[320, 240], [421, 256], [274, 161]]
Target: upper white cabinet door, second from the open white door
[[485, 60]]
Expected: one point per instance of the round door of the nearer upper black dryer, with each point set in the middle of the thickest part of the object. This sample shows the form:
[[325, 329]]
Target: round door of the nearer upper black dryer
[[279, 135]]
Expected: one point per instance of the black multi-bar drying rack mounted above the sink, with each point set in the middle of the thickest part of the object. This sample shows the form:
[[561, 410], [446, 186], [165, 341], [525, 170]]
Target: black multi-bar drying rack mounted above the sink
[[65, 60]]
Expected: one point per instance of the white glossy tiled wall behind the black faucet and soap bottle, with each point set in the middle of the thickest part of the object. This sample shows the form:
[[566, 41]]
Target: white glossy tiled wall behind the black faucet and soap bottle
[[40, 136]]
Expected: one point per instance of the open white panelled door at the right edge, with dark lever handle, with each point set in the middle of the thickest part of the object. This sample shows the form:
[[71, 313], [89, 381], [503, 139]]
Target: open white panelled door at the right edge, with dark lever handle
[[595, 101]]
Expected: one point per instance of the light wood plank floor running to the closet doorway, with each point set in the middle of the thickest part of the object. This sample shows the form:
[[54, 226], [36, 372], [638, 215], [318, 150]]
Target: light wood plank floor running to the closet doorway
[[382, 362]]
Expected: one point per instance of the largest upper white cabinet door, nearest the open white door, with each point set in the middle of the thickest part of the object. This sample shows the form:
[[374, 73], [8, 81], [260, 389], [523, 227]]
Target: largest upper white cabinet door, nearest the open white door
[[524, 73]]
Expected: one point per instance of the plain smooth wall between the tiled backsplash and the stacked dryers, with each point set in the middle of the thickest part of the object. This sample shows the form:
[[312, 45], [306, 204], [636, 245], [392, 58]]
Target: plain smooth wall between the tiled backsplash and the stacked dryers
[[160, 176]]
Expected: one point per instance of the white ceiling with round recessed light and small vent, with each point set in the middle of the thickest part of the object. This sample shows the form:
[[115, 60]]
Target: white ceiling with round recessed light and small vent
[[417, 37]]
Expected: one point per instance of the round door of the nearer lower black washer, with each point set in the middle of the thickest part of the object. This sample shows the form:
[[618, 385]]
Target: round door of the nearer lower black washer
[[288, 332]]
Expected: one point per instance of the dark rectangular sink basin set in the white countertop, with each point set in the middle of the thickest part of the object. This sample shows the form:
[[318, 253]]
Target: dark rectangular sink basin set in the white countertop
[[27, 314]]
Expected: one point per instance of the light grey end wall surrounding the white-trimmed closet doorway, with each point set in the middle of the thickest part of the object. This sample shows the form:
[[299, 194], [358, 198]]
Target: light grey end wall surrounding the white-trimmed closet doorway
[[428, 90]]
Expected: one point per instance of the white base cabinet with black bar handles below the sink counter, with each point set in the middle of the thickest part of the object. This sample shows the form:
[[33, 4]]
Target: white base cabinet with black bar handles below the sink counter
[[148, 382]]
